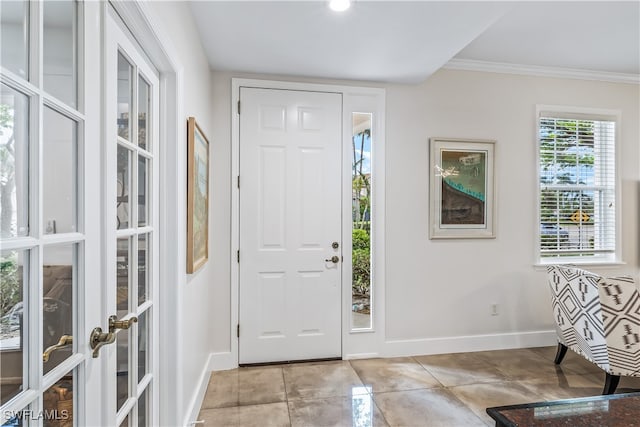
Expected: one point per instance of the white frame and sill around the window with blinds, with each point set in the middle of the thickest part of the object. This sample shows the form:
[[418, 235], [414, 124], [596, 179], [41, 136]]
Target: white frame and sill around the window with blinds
[[583, 113]]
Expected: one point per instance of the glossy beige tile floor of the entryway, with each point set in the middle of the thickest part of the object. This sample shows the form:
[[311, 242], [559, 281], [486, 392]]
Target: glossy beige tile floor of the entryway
[[441, 390]]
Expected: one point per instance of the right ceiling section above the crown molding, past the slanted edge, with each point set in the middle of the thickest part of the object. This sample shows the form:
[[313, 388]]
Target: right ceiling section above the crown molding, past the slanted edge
[[595, 36]]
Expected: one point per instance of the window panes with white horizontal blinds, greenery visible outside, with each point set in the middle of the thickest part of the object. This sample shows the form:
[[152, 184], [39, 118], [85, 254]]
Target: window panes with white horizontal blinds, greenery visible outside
[[572, 165]]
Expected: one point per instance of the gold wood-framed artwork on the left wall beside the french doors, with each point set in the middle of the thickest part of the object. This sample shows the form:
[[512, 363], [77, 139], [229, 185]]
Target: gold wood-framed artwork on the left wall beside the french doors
[[197, 197]]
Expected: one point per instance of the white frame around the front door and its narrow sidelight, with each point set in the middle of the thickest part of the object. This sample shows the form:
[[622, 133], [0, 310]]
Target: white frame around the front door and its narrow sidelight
[[355, 344]]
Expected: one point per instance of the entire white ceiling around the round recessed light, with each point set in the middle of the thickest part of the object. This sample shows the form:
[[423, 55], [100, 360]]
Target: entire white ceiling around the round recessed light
[[397, 41]]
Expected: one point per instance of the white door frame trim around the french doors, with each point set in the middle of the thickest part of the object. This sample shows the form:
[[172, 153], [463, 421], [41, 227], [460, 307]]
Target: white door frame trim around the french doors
[[155, 41]]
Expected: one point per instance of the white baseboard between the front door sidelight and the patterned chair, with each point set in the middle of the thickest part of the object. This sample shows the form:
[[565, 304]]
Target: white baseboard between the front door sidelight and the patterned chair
[[462, 344]]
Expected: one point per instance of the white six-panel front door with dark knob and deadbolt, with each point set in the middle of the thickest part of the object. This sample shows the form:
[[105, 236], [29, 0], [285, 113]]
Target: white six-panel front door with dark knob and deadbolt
[[290, 225]]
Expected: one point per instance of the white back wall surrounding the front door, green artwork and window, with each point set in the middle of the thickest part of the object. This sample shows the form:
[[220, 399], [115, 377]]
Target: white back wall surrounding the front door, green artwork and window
[[440, 291]]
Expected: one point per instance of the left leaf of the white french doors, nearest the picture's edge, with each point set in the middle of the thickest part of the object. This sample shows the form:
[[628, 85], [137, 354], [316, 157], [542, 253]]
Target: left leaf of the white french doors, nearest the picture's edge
[[43, 227]]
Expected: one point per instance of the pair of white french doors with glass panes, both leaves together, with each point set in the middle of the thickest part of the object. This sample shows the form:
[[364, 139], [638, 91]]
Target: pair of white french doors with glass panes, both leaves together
[[78, 219]]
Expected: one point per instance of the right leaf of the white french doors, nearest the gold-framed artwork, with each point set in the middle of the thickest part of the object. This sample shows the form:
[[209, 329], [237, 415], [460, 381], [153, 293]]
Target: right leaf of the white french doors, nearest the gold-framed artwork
[[131, 231]]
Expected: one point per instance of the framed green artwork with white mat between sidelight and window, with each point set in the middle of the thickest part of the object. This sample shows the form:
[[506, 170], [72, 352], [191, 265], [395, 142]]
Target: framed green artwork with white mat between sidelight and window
[[462, 196]]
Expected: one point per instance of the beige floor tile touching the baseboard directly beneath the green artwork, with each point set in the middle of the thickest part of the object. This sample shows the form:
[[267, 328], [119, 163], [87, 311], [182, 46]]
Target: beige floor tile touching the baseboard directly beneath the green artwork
[[460, 369]]
